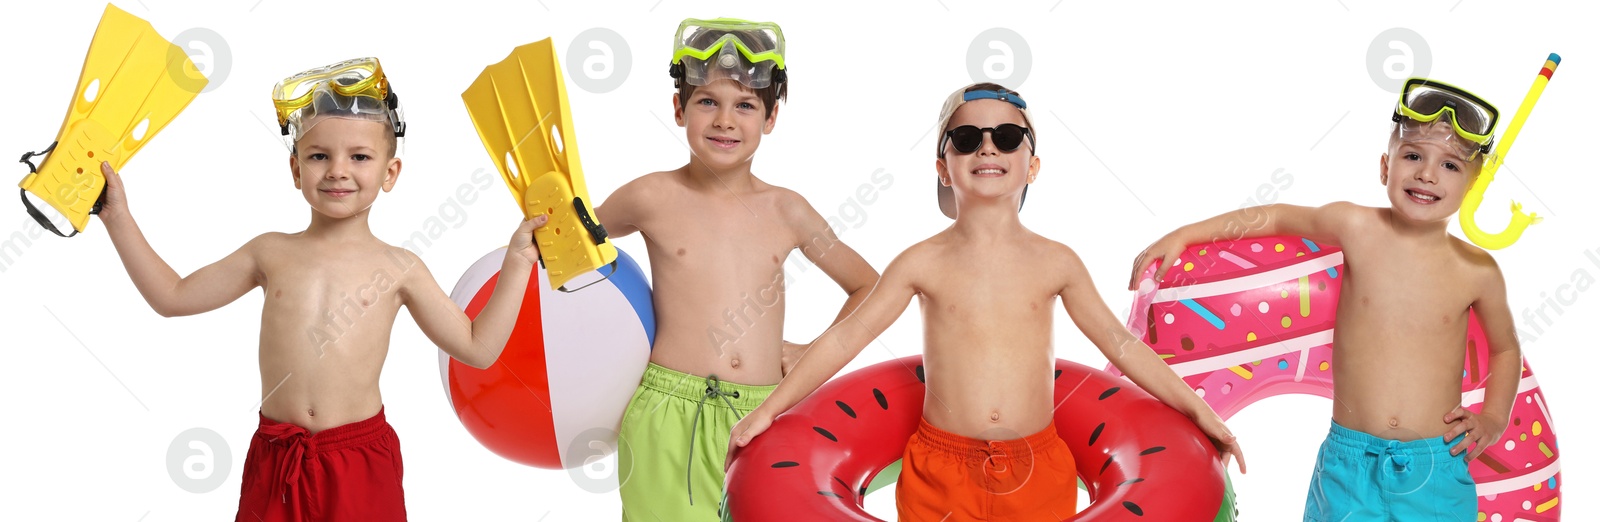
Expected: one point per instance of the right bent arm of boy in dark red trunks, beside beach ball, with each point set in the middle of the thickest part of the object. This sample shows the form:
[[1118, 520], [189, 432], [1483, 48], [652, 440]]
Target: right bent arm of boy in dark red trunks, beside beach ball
[[479, 342]]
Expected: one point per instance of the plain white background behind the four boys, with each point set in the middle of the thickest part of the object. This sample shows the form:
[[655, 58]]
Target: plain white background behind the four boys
[[1150, 118]]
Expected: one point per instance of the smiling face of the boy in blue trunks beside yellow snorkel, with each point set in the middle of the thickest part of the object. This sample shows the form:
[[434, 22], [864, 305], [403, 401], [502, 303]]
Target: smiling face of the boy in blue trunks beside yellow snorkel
[[1428, 179]]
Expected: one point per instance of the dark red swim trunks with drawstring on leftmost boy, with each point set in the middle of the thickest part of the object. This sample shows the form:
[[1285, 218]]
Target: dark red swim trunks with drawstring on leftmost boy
[[346, 473]]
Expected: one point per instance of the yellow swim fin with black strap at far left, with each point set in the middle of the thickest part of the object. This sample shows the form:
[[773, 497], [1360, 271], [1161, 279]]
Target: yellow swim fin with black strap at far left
[[134, 84]]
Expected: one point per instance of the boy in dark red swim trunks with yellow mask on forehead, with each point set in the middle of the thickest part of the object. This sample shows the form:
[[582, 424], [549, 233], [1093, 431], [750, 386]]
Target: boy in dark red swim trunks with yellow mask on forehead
[[324, 451]]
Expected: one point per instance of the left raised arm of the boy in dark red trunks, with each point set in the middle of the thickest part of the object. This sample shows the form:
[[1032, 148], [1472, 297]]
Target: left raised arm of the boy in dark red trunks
[[169, 295]]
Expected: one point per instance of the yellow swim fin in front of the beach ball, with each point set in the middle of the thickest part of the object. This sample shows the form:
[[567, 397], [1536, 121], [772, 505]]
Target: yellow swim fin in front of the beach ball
[[519, 108]]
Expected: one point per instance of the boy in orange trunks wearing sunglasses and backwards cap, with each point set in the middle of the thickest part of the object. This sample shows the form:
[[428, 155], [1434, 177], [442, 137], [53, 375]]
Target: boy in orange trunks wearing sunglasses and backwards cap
[[986, 448]]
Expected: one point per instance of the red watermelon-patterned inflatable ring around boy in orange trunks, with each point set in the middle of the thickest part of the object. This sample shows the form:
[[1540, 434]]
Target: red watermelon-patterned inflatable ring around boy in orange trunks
[[1138, 459]]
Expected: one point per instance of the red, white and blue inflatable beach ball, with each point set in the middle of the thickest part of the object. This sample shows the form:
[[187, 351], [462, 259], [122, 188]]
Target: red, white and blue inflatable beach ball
[[558, 393]]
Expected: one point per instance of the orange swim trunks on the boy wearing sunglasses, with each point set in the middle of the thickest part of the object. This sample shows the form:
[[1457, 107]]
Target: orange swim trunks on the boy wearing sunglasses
[[951, 478]]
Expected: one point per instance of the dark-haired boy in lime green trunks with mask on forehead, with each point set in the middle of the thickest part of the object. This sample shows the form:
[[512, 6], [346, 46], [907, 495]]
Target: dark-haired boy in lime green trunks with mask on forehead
[[718, 239]]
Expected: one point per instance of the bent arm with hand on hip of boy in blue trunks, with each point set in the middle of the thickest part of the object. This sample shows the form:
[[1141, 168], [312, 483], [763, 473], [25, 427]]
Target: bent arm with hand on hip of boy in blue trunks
[[1500, 393]]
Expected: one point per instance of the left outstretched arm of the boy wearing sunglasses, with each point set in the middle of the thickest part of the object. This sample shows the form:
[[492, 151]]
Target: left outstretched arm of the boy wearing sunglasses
[[836, 348]]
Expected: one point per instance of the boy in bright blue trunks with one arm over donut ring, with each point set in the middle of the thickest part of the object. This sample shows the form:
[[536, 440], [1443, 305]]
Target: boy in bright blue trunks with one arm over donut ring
[[1402, 323]]
